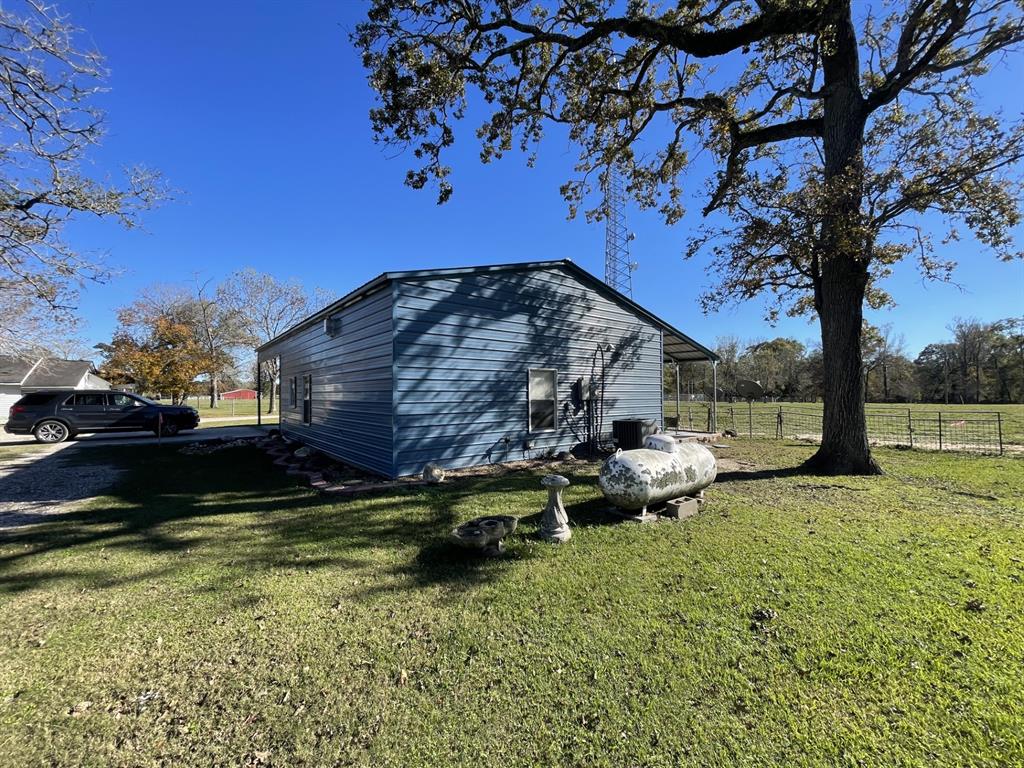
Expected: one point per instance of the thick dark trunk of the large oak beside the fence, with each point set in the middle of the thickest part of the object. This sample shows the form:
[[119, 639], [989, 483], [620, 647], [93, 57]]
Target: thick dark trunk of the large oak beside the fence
[[844, 260]]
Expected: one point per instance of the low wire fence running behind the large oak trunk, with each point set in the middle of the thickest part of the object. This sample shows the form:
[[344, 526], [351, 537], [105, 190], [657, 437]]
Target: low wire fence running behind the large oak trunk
[[975, 433]]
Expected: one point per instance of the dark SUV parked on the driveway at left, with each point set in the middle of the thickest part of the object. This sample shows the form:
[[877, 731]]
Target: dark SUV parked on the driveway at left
[[58, 415]]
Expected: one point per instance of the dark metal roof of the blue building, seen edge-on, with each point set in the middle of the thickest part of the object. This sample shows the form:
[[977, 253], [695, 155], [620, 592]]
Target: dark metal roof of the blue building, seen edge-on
[[678, 347]]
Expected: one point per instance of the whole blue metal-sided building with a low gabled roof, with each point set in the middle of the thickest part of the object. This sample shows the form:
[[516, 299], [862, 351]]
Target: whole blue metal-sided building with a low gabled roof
[[471, 366]]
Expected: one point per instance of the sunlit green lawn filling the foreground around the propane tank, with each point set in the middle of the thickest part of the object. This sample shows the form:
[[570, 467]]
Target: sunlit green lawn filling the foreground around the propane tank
[[209, 612]]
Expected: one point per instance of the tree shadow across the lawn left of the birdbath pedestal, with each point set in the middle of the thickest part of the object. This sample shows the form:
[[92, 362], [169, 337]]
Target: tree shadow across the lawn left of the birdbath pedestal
[[232, 511]]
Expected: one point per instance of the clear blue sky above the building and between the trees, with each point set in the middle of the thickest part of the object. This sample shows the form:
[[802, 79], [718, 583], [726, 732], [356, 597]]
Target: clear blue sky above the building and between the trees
[[259, 114]]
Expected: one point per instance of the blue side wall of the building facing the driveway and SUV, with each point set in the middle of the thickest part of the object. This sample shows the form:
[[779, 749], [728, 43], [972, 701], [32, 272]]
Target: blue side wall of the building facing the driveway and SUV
[[352, 385]]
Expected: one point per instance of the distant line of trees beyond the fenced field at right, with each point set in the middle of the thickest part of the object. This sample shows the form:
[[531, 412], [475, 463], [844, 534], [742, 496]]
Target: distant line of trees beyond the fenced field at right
[[977, 363]]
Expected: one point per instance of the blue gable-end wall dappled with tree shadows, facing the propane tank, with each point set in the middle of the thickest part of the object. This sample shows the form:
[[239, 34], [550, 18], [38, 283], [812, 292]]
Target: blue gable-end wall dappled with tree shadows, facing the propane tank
[[463, 348]]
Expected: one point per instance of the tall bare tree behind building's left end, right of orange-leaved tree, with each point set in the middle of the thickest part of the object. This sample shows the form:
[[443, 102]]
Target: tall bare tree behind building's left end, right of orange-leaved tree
[[267, 308]]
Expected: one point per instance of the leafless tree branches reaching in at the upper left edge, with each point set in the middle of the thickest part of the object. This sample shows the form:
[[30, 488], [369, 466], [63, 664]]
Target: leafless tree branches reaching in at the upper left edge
[[48, 124]]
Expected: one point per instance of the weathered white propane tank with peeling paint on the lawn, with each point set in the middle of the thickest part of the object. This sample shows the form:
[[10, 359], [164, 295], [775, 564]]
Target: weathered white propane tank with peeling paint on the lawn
[[663, 470]]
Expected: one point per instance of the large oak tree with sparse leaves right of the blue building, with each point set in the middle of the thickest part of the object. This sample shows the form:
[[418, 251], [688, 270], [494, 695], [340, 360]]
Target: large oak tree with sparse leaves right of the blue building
[[836, 125]]
